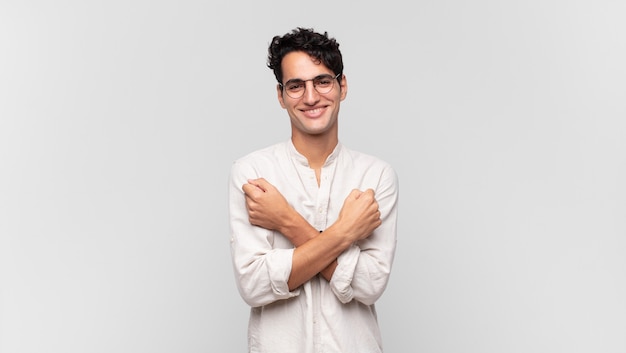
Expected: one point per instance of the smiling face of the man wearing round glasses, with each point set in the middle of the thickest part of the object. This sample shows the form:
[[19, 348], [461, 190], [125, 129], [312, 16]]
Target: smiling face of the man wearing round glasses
[[313, 113]]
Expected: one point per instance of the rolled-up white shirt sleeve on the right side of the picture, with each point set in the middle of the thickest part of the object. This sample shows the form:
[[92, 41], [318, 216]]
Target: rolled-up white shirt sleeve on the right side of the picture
[[363, 270]]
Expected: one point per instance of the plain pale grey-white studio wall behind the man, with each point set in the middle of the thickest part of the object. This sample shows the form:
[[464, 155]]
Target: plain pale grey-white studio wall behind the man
[[505, 121]]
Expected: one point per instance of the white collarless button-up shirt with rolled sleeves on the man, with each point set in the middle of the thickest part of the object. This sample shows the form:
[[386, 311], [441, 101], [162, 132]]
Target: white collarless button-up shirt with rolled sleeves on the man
[[320, 316]]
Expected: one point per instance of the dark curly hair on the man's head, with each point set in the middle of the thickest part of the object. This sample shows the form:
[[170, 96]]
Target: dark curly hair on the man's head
[[325, 50]]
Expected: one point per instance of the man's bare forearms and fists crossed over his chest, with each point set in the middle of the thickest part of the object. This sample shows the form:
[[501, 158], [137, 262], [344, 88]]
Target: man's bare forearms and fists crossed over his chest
[[315, 252]]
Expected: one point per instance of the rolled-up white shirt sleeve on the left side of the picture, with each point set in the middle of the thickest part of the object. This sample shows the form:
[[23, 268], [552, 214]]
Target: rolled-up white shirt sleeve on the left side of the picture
[[261, 270]]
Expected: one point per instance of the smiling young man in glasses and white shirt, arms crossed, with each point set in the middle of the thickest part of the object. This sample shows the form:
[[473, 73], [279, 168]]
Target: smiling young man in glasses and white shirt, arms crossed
[[313, 223]]
